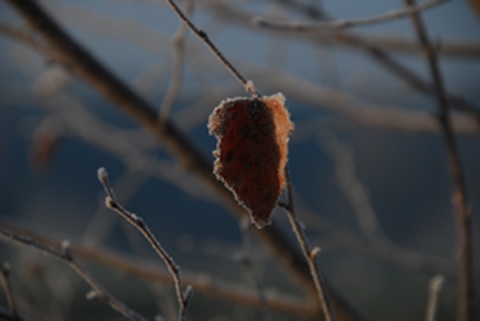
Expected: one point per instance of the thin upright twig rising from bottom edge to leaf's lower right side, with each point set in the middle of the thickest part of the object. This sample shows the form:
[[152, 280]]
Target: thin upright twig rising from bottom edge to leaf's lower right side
[[310, 255]]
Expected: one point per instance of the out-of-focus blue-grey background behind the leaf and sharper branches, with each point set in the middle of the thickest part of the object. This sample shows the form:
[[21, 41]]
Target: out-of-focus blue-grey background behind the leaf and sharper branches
[[367, 161]]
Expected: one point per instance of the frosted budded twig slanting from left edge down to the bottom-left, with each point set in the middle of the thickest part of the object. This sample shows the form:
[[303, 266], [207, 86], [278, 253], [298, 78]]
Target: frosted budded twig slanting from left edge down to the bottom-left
[[66, 256]]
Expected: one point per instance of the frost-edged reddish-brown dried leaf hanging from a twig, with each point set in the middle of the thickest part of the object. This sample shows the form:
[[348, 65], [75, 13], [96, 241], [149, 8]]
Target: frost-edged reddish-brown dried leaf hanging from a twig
[[252, 151]]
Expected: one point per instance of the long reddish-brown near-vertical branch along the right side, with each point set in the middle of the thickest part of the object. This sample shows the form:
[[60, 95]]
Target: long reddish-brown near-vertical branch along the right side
[[459, 193]]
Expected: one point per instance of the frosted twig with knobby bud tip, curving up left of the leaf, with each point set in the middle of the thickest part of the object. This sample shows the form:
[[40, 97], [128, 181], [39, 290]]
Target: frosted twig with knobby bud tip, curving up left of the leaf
[[183, 294]]
